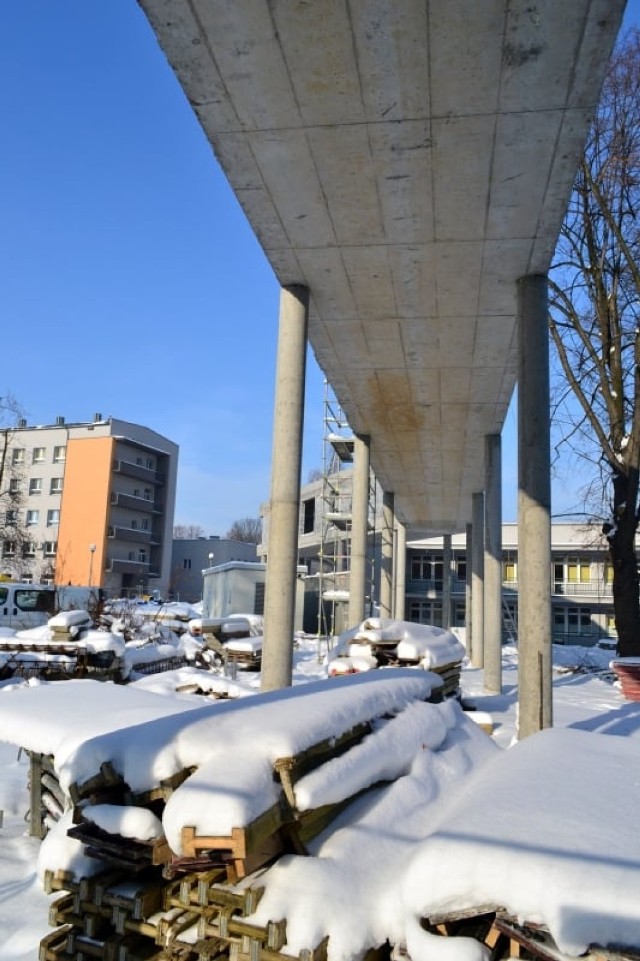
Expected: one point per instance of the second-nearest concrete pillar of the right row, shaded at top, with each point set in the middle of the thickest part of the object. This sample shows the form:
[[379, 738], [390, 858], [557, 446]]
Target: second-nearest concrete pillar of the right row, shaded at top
[[493, 565]]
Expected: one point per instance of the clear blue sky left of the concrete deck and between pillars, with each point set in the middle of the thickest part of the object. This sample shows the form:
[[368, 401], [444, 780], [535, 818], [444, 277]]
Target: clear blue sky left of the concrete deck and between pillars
[[130, 283]]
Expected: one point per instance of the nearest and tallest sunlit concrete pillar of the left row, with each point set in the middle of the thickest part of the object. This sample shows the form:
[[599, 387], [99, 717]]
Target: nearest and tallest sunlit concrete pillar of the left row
[[288, 416]]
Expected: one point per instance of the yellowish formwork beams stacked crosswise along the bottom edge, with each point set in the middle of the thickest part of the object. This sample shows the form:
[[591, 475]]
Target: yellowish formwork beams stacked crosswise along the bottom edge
[[197, 916]]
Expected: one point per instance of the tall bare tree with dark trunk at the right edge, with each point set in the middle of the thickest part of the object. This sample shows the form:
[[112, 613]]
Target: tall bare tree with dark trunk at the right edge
[[595, 322]]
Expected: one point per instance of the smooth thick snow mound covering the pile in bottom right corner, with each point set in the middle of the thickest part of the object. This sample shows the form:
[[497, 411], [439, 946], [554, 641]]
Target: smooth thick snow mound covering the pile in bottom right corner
[[552, 850]]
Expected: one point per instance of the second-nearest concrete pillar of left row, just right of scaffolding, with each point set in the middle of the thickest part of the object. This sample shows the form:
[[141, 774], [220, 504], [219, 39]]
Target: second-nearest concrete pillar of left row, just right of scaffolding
[[359, 531]]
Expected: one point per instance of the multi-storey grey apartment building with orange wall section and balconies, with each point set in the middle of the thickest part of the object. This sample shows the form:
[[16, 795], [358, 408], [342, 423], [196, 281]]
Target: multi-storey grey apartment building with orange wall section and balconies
[[91, 504]]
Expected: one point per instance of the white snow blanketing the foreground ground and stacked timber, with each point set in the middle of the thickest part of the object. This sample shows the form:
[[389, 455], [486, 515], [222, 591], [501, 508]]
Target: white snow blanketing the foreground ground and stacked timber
[[545, 828]]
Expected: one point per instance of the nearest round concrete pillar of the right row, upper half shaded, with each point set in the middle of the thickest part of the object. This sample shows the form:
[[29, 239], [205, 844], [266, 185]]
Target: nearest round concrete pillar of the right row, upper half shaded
[[534, 508]]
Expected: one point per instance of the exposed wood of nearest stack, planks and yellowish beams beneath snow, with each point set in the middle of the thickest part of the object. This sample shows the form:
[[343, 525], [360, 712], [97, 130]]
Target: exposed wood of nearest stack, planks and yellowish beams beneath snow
[[146, 903]]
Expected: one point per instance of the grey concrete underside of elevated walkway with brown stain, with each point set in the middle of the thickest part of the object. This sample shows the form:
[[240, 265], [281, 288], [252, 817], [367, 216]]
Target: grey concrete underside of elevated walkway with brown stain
[[406, 161]]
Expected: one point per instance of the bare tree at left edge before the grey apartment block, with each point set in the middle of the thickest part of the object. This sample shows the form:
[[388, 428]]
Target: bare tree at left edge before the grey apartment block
[[13, 532]]
